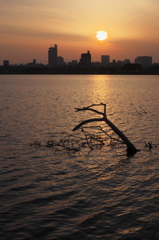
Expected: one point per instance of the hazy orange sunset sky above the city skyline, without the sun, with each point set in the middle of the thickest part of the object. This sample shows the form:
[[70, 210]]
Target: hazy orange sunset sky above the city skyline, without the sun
[[29, 28]]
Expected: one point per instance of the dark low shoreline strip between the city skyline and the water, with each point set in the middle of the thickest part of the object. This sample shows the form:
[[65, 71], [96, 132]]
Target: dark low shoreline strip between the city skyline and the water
[[128, 69]]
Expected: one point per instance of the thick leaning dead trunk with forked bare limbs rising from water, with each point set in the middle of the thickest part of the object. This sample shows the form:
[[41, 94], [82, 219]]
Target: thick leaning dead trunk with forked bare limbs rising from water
[[131, 149]]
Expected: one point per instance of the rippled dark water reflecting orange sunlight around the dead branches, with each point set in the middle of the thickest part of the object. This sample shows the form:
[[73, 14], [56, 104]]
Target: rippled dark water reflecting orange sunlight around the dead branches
[[99, 194]]
